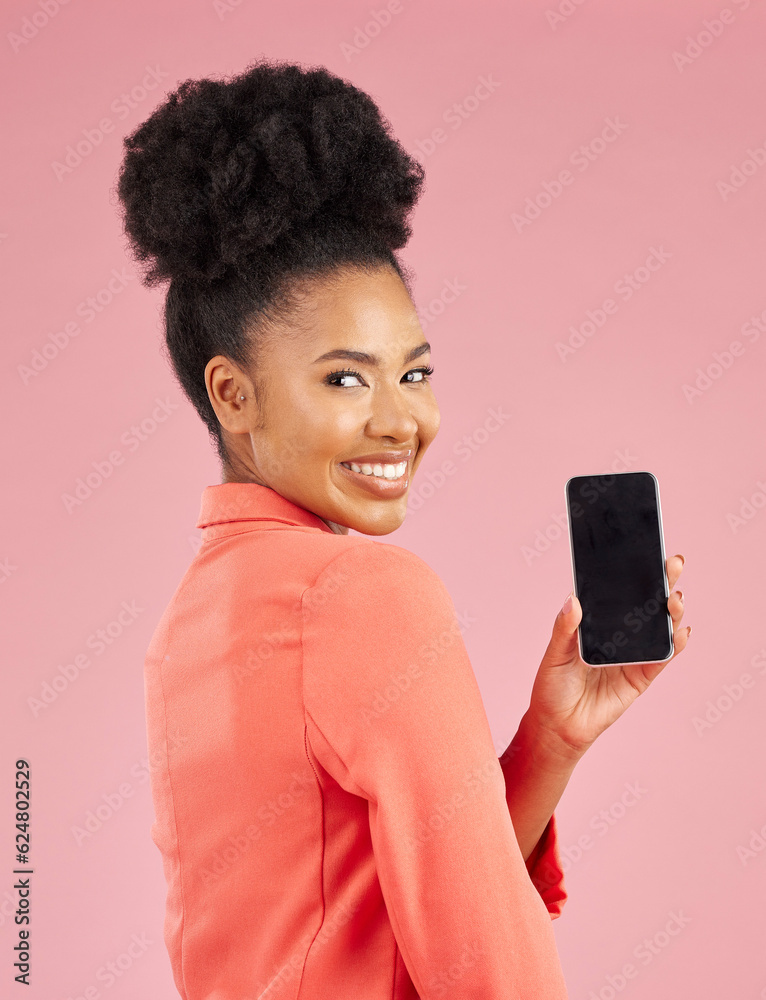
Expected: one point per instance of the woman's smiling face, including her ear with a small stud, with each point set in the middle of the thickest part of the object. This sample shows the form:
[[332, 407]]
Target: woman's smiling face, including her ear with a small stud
[[370, 404]]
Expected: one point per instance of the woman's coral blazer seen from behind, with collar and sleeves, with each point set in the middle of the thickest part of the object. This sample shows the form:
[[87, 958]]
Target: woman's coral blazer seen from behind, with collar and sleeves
[[329, 805]]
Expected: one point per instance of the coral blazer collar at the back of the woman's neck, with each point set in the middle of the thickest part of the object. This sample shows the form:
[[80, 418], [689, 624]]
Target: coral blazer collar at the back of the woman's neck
[[228, 502]]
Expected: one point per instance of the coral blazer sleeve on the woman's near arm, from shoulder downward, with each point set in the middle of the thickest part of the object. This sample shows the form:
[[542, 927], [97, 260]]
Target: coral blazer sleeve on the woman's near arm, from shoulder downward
[[394, 714]]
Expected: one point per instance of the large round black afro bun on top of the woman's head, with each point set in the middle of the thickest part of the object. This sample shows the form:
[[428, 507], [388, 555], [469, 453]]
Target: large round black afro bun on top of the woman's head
[[226, 168]]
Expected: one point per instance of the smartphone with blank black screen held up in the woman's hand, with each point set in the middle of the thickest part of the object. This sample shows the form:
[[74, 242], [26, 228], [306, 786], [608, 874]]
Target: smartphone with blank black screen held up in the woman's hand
[[618, 568]]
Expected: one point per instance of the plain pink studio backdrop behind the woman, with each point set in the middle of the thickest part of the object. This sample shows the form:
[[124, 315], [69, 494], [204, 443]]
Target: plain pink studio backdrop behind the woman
[[683, 128]]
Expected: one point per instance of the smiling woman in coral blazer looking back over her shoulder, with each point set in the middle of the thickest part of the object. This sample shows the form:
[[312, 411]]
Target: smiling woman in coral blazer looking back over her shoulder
[[333, 819]]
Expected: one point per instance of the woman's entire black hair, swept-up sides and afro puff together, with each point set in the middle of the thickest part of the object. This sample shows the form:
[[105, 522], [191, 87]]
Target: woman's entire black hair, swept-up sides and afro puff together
[[235, 189]]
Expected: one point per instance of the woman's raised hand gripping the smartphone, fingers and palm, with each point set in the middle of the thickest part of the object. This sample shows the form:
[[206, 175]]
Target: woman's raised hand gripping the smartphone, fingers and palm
[[572, 703]]
